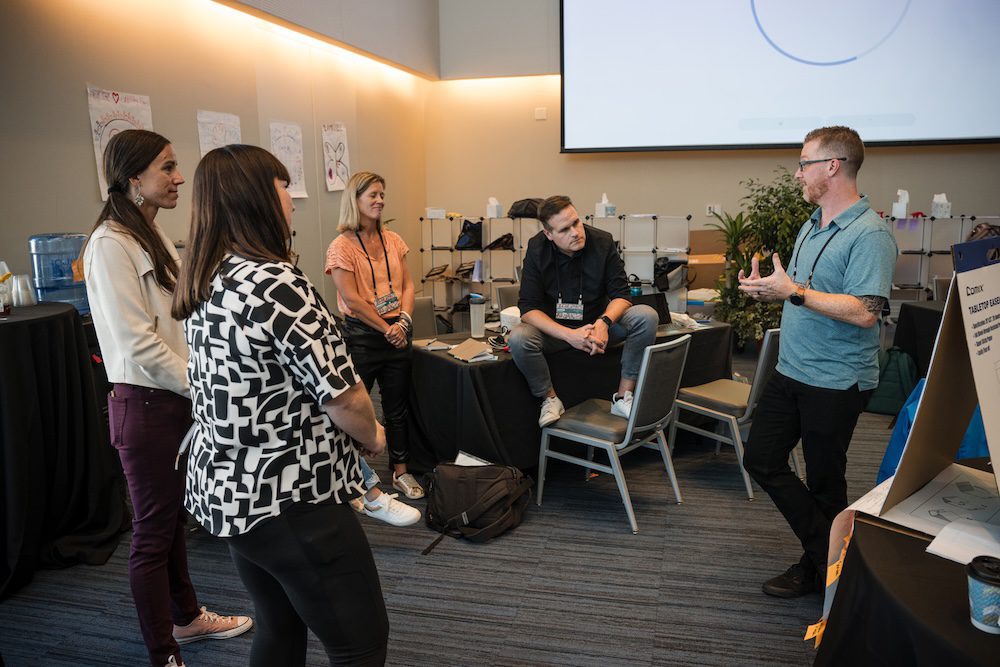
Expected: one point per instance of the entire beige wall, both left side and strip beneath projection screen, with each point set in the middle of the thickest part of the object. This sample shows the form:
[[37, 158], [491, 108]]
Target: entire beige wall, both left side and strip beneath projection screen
[[443, 143]]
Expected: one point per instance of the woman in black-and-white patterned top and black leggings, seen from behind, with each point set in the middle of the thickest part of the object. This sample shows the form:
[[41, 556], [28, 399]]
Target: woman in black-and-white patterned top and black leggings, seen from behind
[[279, 418]]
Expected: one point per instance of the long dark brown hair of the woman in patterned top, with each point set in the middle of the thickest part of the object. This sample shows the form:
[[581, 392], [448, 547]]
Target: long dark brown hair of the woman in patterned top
[[235, 209]]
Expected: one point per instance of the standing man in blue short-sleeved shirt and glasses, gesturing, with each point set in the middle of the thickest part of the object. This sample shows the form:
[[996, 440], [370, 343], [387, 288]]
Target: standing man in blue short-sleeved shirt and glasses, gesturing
[[834, 289]]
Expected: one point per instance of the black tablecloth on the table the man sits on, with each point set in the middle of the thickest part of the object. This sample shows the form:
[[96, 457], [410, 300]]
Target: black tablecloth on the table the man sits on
[[487, 410]]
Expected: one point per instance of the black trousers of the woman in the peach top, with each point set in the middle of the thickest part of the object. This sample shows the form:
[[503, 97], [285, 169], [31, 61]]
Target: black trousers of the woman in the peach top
[[376, 359]]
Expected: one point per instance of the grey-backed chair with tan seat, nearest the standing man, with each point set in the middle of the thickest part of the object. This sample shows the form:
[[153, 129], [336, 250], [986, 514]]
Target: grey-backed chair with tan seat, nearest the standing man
[[732, 404]]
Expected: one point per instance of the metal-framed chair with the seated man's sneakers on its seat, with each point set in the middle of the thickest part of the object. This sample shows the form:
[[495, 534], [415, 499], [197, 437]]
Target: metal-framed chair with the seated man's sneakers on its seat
[[591, 423]]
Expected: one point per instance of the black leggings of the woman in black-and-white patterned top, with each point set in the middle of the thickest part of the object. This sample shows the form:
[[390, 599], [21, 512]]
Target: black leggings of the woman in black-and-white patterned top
[[312, 567]]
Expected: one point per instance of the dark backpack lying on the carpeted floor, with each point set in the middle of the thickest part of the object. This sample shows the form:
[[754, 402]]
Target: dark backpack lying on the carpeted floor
[[475, 502]]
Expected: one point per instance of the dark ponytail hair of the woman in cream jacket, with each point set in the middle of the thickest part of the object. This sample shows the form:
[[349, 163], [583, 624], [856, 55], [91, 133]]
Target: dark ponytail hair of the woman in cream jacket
[[127, 155]]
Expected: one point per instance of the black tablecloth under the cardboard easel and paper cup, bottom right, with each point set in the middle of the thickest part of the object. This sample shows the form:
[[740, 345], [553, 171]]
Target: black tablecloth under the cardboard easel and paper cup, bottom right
[[898, 605]]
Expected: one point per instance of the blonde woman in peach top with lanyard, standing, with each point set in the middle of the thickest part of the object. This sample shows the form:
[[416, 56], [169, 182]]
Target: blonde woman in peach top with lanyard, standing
[[375, 295]]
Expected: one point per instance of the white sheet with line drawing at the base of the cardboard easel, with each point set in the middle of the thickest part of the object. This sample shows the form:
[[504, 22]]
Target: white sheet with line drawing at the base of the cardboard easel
[[958, 492]]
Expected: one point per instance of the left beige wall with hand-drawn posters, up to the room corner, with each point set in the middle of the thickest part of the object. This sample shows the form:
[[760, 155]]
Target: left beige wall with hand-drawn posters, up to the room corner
[[188, 55]]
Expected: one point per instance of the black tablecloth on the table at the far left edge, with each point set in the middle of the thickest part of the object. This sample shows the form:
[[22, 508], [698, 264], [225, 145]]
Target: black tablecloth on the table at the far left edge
[[62, 500]]
